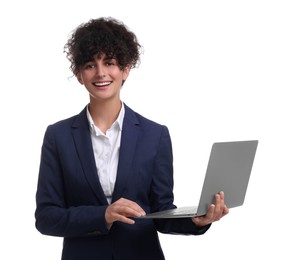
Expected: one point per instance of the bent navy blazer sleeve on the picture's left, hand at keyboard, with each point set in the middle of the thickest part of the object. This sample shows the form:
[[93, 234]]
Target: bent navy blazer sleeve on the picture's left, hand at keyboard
[[53, 215]]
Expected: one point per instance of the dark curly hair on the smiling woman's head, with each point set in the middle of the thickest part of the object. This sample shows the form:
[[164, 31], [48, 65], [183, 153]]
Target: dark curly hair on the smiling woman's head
[[102, 36]]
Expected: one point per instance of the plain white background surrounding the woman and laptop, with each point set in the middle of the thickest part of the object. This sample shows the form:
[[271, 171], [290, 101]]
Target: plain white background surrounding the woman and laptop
[[211, 71]]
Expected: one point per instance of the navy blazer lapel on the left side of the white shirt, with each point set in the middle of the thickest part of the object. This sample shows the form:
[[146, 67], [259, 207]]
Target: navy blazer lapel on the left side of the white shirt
[[81, 136]]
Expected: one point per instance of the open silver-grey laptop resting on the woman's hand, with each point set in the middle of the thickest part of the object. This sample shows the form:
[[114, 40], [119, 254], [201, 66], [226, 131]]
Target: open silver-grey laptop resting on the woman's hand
[[228, 170]]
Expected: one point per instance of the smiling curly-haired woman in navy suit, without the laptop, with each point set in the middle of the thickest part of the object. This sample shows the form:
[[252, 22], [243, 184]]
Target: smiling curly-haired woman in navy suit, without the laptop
[[102, 169]]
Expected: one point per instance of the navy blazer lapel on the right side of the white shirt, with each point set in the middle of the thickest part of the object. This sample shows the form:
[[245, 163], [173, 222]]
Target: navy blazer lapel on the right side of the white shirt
[[129, 137]]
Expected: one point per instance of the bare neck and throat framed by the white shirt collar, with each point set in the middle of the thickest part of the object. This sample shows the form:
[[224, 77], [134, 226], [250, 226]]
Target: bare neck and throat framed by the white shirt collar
[[104, 114]]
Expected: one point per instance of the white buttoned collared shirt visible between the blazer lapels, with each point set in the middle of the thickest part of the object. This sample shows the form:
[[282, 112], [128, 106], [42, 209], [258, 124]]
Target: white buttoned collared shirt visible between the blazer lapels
[[106, 148]]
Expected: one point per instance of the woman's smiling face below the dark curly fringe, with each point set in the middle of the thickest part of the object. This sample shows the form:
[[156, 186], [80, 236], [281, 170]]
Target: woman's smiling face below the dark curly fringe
[[103, 78]]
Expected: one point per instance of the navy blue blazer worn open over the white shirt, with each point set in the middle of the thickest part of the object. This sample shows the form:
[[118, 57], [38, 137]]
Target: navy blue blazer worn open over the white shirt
[[71, 203]]
